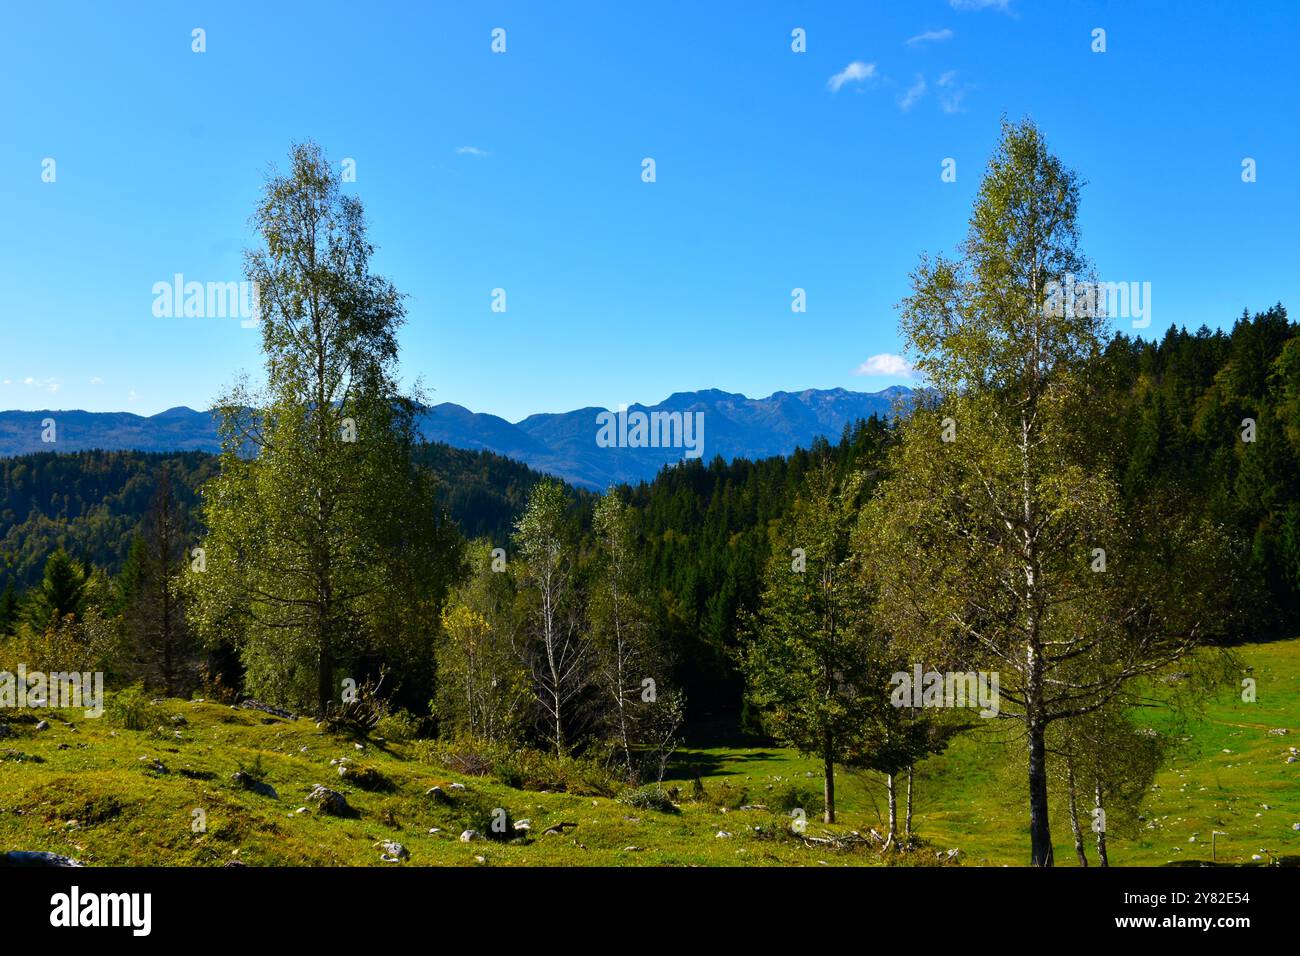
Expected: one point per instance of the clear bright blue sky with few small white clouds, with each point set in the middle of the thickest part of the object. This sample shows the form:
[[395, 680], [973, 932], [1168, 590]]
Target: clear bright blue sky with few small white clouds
[[522, 171]]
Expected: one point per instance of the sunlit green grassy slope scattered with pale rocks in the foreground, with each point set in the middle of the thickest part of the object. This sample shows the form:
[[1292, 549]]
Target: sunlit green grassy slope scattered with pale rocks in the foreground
[[93, 798]]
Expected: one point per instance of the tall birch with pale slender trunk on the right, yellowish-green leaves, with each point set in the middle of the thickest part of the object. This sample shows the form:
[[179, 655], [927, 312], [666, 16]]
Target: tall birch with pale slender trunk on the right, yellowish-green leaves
[[1002, 500]]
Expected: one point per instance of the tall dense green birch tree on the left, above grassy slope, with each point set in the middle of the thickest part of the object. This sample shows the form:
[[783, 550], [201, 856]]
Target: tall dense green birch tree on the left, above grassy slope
[[324, 544]]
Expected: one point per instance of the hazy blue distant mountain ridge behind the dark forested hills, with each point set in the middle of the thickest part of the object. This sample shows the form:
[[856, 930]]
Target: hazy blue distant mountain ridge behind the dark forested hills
[[561, 444]]
